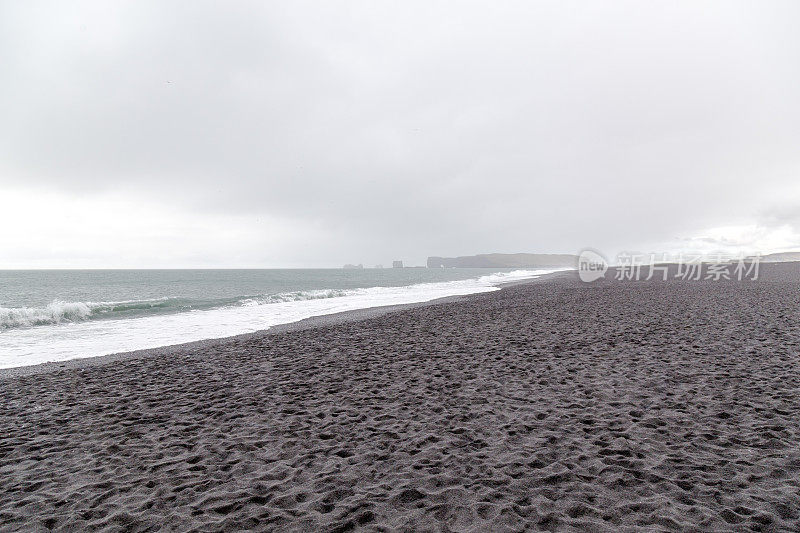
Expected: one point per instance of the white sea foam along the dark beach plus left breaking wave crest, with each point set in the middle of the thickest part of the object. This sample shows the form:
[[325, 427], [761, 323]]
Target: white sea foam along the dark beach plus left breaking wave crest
[[64, 332]]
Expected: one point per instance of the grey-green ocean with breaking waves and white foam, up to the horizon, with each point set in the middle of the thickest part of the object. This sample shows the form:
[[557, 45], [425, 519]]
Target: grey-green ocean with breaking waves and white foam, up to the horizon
[[56, 315]]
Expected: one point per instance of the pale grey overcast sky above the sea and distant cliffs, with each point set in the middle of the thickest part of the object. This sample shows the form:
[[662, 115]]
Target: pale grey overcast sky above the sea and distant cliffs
[[287, 134]]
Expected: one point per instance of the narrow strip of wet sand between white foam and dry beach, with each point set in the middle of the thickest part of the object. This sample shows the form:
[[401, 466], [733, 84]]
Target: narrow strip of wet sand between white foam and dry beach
[[317, 321]]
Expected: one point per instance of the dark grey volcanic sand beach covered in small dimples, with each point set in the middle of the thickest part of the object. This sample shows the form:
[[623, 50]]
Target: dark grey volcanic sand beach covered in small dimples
[[551, 405]]
